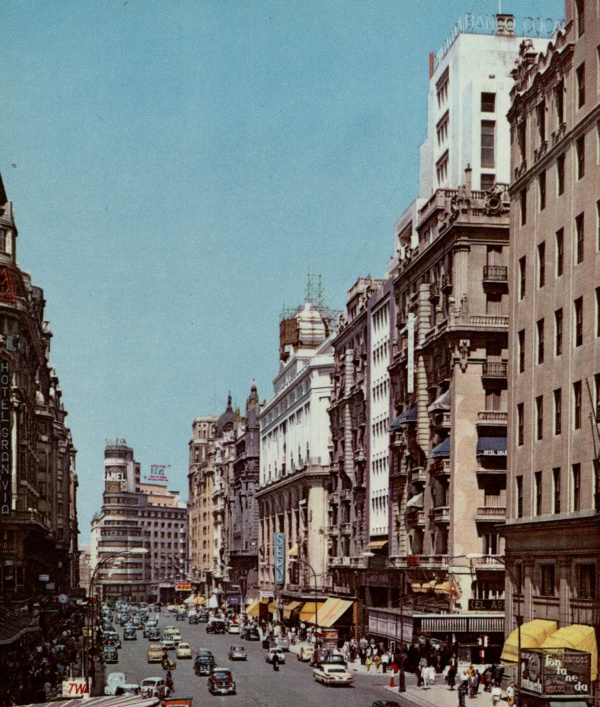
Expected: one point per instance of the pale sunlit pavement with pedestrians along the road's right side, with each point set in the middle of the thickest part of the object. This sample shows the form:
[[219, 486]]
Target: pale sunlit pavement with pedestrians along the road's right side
[[437, 695]]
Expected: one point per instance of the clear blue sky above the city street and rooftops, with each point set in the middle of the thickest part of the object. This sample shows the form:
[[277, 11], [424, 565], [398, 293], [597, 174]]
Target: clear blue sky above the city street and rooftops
[[181, 167]]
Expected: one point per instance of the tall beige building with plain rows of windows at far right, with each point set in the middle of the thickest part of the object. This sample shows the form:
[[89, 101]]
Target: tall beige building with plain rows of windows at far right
[[552, 532]]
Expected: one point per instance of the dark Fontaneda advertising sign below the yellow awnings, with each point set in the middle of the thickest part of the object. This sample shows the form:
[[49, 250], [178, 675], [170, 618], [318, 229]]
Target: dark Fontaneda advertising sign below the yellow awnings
[[553, 672]]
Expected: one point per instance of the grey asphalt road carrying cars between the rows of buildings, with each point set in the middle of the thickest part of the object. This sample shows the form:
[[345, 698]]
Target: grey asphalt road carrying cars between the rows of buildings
[[258, 685]]
